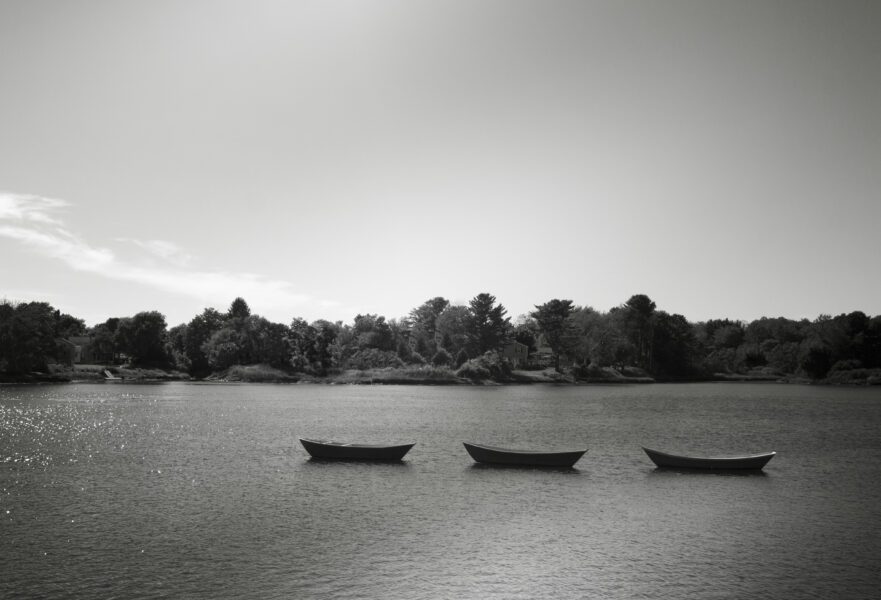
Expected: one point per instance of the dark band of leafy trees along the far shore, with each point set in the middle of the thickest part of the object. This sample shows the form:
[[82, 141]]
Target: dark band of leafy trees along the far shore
[[579, 339]]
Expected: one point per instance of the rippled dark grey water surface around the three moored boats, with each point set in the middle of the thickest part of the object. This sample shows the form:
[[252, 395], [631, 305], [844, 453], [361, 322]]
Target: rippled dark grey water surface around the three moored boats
[[202, 491]]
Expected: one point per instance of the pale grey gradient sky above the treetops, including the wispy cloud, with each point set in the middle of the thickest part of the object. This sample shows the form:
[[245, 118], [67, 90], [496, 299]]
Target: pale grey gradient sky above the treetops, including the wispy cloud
[[329, 158]]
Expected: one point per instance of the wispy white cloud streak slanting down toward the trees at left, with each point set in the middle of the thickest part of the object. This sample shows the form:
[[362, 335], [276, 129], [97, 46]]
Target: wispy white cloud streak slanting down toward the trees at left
[[34, 222]]
